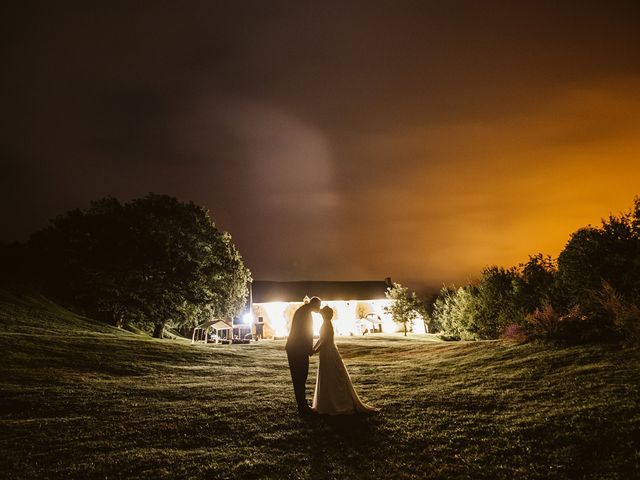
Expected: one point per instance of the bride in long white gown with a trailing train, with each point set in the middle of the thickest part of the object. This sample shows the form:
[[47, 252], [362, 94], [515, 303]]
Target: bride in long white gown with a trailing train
[[334, 393]]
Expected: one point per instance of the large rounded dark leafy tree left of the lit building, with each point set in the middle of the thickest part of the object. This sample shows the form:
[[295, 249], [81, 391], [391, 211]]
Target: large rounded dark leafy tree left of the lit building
[[152, 261]]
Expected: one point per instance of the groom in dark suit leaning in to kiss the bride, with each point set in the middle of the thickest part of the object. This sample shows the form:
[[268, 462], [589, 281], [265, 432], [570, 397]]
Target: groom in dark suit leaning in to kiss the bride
[[299, 348]]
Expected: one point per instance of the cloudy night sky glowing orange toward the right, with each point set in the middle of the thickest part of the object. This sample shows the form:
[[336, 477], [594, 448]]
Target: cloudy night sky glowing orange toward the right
[[334, 140]]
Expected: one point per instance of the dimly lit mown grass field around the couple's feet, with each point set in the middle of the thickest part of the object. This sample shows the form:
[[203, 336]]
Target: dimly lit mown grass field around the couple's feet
[[84, 400]]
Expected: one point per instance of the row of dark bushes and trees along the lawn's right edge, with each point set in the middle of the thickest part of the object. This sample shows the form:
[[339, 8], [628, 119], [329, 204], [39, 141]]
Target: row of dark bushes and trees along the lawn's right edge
[[590, 292]]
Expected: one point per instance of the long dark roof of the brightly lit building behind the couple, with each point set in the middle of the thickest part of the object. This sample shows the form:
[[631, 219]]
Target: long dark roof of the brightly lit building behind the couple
[[267, 291]]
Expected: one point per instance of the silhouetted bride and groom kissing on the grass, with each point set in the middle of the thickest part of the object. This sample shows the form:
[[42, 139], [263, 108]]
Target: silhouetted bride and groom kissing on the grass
[[334, 394]]
